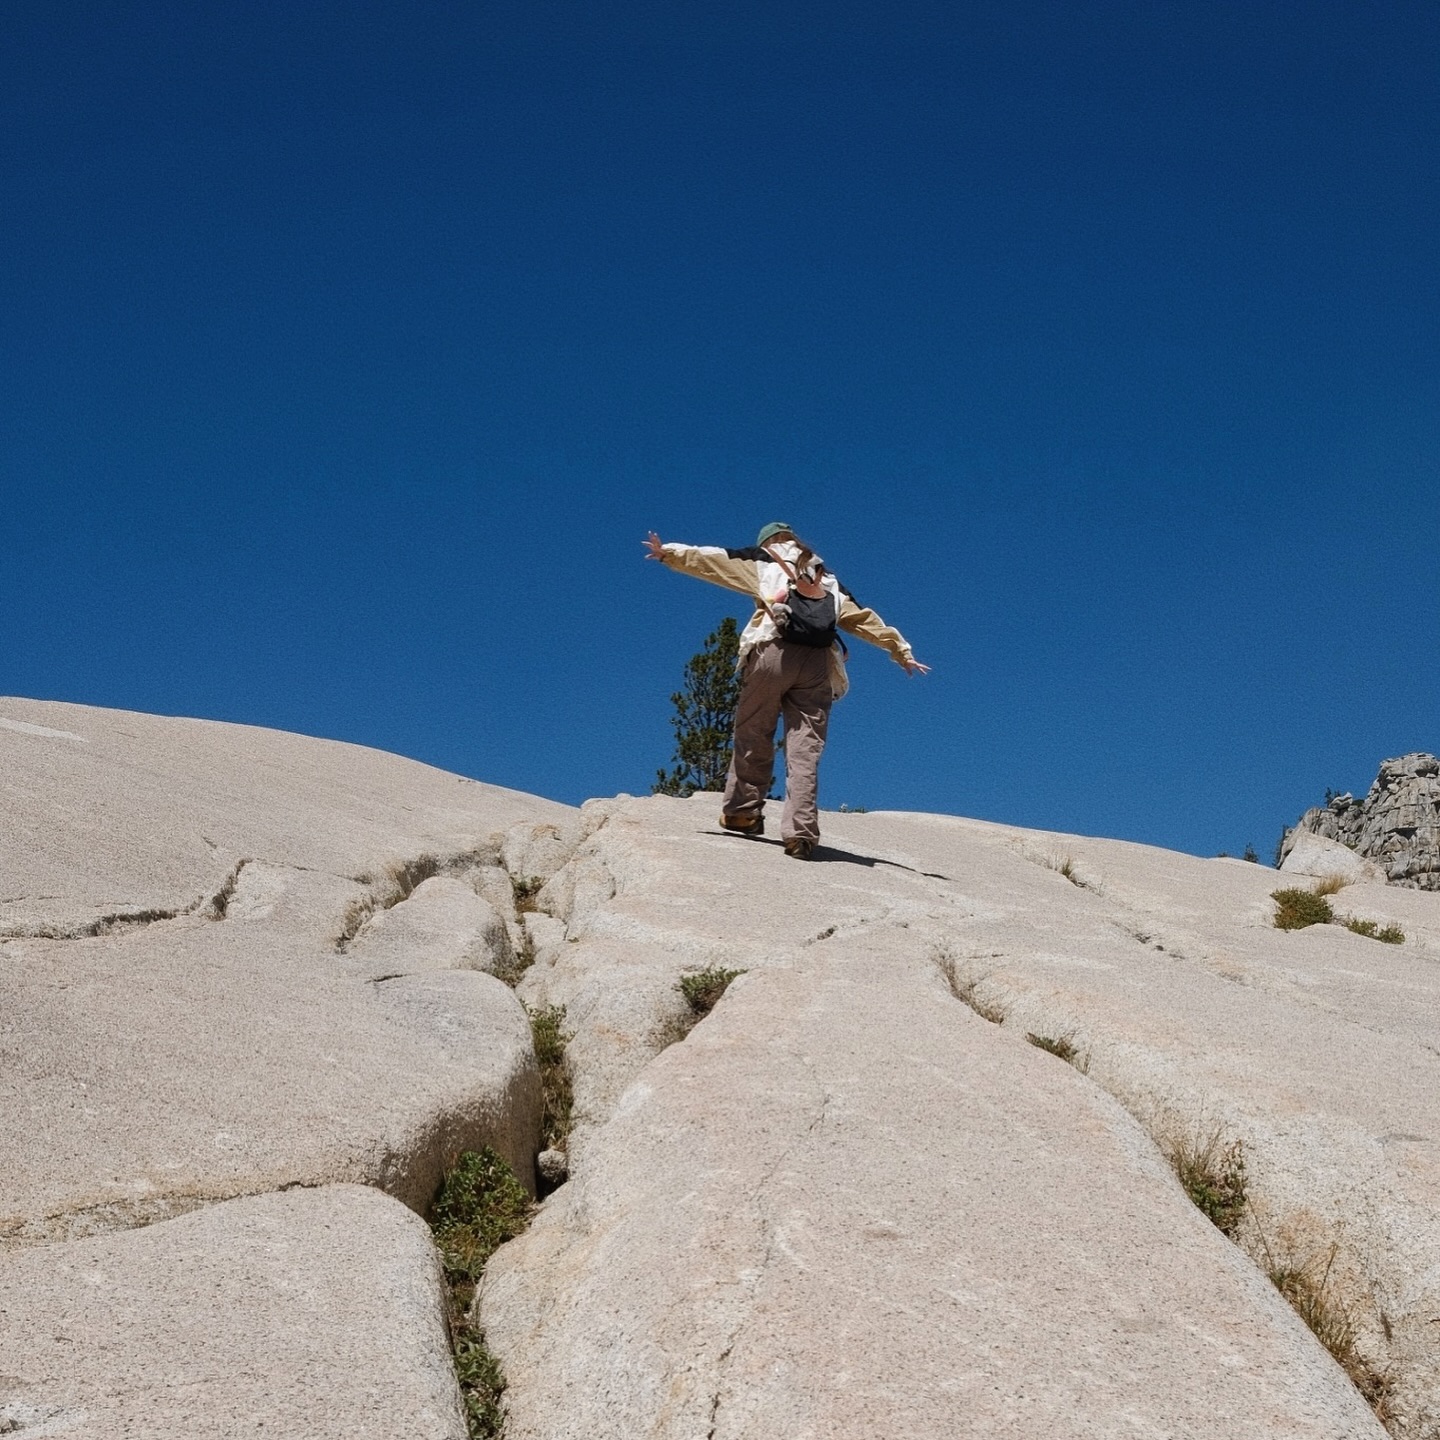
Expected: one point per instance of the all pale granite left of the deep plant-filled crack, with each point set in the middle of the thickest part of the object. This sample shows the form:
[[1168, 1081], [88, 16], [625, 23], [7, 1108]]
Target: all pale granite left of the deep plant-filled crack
[[222, 976]]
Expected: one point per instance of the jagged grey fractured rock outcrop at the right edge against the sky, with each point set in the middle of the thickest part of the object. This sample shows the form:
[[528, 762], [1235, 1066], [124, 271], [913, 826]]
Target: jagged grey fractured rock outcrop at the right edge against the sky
[[1396, 826]]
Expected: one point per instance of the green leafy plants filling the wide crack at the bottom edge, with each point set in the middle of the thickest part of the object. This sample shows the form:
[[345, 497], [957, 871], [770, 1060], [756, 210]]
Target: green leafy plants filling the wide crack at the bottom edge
[[480, 1206]]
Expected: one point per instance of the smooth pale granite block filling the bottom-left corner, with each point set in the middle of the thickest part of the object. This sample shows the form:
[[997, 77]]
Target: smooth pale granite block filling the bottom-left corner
[[313, 1313]]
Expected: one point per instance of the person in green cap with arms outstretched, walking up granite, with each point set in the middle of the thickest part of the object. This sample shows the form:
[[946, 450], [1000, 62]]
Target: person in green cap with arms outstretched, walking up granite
[[791, 665]]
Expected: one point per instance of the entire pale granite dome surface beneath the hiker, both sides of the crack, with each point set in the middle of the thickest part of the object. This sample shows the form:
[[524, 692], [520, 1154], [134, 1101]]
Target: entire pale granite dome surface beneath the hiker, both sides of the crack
[[914, 1176]]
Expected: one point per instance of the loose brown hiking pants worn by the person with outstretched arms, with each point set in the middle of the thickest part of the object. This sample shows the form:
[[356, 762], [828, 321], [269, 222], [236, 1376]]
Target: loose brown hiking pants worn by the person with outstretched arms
[[791, 682]]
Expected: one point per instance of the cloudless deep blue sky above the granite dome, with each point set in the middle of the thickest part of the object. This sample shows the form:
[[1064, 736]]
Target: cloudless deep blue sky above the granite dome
[[349, 351]]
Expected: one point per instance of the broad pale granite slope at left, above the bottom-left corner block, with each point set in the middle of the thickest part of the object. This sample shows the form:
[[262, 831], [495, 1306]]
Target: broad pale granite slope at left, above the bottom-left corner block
[[182, 1020]]
